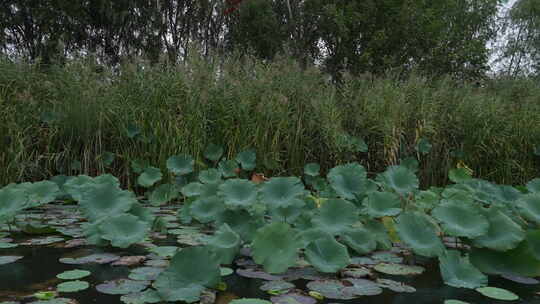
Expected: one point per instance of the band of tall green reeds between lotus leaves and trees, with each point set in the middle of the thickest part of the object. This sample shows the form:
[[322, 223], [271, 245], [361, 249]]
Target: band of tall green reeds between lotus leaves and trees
[[290, 116]]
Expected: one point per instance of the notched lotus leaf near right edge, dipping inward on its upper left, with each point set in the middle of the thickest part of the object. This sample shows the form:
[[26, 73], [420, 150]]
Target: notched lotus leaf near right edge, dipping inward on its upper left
[[503, 233]]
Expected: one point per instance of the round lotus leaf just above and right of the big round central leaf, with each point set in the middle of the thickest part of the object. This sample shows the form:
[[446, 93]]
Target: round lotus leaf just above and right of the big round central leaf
[[336, 216]]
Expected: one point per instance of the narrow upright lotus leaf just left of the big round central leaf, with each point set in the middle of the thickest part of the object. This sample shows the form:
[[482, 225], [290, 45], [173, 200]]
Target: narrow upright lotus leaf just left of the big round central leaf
[[224, 244]]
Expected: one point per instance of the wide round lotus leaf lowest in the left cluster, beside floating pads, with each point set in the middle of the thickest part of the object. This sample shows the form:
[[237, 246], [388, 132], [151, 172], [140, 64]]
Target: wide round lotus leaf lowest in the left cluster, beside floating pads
[[123, 230]]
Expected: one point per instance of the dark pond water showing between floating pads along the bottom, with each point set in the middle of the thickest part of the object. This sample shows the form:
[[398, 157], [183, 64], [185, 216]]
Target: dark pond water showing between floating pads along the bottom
[[37, 271]]
